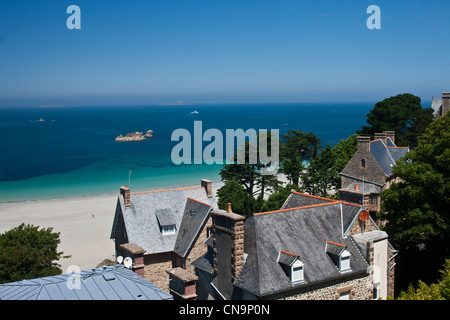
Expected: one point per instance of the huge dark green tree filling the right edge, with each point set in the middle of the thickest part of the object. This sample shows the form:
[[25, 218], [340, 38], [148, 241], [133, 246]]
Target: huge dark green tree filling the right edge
[[417, 215]]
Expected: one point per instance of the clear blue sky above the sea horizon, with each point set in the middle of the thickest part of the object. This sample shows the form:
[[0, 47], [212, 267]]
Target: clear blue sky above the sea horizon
[[220, 51]]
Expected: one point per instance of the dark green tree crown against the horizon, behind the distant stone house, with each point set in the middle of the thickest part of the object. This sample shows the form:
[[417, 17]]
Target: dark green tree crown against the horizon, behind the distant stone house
[[403, 114]]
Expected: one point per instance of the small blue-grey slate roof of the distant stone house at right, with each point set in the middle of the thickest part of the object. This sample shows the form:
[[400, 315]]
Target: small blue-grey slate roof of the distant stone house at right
[[386, 156]]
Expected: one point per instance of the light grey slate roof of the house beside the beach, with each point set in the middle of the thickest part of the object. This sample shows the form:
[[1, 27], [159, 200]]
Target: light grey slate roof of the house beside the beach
[[149, 209]]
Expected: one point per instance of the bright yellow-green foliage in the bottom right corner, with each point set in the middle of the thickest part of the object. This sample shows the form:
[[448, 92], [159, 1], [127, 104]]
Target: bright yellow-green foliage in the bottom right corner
[[434, 291]]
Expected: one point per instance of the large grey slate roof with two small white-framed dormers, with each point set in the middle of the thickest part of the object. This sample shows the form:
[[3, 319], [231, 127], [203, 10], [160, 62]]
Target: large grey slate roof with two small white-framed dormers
[[303, 231]]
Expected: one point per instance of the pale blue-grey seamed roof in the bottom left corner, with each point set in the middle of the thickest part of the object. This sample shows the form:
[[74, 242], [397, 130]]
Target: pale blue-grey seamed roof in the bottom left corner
[[105, 283]]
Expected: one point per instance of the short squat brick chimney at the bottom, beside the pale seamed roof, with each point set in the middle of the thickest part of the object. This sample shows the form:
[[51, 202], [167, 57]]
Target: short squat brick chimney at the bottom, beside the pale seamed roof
[[183, 284]]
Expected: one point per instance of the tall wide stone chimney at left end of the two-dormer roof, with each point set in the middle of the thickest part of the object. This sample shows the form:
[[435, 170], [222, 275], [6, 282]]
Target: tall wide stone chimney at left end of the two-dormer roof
[[228, 244]]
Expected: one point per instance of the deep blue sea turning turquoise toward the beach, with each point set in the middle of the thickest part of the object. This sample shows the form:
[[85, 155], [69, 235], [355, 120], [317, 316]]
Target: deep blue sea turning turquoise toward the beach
[[73, 151]]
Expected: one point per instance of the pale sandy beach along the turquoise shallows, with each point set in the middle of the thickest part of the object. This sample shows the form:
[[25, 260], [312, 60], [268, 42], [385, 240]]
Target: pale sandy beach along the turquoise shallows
[[84, 224]]
